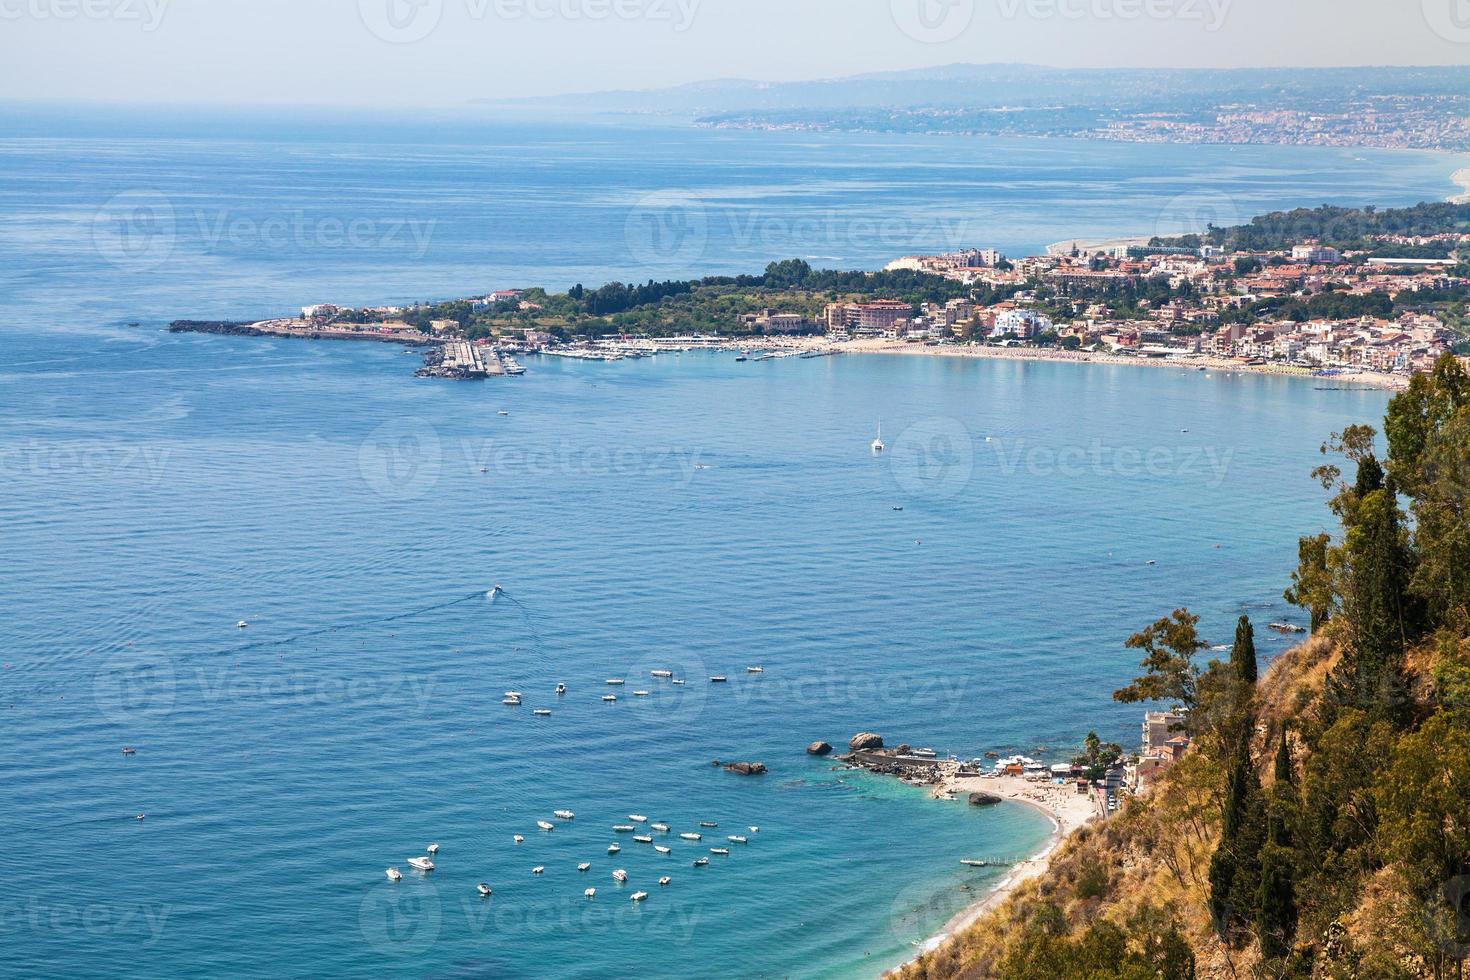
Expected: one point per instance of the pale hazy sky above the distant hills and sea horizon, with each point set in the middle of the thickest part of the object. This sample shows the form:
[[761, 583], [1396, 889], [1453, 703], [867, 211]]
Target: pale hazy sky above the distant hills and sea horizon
[[442, 54]]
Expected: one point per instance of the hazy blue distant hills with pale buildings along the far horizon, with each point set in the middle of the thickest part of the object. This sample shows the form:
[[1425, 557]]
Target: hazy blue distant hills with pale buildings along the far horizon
[[1393, 108]]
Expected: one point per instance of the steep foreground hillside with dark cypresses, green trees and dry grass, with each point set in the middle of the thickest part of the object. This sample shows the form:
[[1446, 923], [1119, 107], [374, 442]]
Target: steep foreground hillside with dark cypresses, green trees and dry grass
[[1321, 825]]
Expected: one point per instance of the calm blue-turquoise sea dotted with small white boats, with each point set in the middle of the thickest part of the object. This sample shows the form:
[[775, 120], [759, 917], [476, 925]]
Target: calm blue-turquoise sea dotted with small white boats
[[404, 553]]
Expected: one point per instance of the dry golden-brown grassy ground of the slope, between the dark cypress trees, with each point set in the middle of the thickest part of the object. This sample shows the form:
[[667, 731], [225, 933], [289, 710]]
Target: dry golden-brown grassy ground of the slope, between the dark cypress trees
[[1131, 897]]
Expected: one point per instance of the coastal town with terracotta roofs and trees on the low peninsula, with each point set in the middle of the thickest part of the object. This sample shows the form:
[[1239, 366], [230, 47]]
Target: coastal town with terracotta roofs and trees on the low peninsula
[[1375, 314]]
